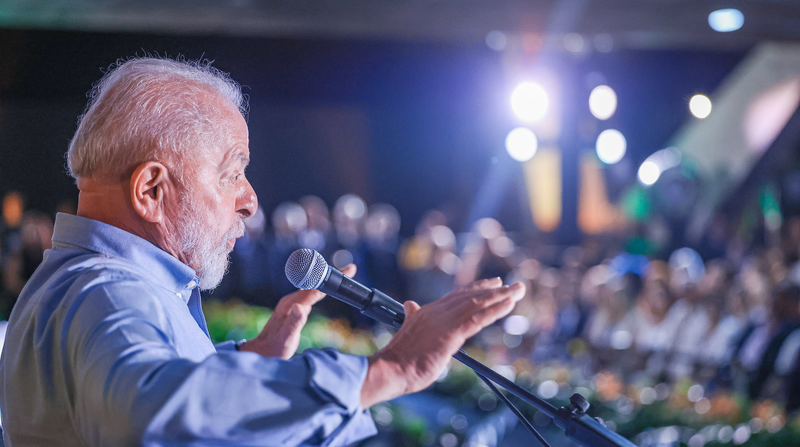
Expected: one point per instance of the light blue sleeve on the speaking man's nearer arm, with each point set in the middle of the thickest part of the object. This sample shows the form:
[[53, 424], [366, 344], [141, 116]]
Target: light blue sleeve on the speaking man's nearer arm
[[132, 388]]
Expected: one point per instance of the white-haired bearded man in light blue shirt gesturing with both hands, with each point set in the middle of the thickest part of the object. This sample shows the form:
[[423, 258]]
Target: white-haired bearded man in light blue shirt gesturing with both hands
[[108, 346]]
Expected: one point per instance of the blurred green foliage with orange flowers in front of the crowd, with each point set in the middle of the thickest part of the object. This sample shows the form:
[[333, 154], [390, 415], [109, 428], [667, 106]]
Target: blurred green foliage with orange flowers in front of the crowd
[[617, 403]]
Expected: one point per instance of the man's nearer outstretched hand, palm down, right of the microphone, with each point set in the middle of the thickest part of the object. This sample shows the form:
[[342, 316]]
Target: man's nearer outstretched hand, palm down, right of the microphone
[[431, 334]]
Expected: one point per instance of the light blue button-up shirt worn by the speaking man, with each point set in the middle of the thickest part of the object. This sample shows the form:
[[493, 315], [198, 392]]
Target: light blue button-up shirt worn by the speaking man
[[107, 346]]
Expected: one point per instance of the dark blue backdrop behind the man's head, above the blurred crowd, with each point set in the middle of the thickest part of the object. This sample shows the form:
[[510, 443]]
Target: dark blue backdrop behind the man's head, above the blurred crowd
[[417, 125]]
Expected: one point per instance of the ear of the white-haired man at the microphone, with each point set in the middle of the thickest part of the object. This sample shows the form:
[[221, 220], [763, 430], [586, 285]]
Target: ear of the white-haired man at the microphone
[[150, 188]]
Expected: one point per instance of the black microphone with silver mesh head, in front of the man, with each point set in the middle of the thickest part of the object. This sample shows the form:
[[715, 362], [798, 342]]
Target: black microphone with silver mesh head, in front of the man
[[306, 269]]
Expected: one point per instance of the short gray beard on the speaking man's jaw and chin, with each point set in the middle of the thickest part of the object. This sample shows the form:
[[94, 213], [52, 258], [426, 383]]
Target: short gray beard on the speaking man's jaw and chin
[[210, 261]]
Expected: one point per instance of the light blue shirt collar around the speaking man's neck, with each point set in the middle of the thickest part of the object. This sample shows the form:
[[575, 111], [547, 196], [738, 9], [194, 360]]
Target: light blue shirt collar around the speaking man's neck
[[109, 240]]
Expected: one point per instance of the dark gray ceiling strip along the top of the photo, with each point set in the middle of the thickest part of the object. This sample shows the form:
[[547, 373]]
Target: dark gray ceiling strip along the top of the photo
[[633, 24]]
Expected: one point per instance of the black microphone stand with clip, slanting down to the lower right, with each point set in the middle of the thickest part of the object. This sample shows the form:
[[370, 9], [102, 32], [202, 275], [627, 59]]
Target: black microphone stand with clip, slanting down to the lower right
[[577, 425]]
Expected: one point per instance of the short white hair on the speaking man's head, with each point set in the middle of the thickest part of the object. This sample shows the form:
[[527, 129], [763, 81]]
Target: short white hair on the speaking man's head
[[150, 109]]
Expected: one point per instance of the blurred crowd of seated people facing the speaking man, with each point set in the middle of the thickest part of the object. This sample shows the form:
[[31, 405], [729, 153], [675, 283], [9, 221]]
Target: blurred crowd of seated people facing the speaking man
[[723, 323]]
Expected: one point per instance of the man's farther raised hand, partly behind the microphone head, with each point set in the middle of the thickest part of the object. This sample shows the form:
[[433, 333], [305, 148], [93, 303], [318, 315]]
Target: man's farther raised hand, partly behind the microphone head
[[281, 335]]
